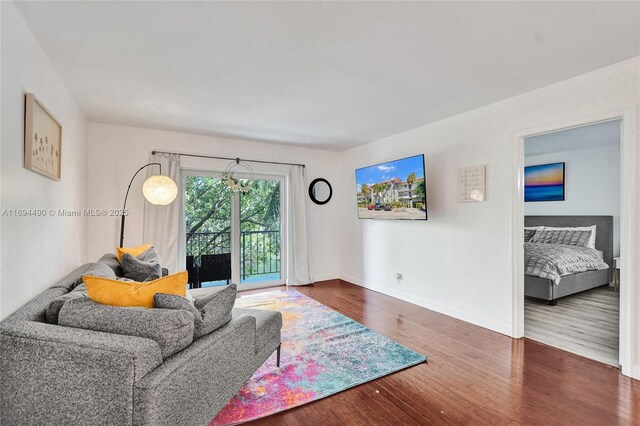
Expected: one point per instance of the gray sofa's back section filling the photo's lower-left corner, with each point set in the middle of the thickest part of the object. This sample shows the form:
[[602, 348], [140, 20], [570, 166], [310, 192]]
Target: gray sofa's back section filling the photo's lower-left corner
[[60, 375]]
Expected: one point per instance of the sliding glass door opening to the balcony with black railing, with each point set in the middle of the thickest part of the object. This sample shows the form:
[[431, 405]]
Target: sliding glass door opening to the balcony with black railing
[[233, 236]]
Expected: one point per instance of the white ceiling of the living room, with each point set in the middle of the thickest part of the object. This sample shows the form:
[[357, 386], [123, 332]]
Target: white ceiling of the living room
[[327, 74]]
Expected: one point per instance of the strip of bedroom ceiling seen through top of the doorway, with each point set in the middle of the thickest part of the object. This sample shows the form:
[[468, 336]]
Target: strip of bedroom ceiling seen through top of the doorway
[[593, 135]]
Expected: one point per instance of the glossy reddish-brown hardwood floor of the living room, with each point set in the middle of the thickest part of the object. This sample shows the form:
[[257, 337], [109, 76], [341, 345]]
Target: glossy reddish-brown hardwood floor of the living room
[[474, 376]]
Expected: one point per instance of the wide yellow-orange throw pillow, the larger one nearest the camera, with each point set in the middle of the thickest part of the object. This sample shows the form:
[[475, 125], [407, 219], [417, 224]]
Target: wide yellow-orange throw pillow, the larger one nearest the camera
[[131, 293]]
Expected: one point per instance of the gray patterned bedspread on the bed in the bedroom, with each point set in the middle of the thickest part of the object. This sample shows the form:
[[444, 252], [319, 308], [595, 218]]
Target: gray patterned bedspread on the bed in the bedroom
[[551, 261]]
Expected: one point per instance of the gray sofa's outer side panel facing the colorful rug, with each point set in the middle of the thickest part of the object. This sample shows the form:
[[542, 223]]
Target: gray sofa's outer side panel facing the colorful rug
[[203, 377]]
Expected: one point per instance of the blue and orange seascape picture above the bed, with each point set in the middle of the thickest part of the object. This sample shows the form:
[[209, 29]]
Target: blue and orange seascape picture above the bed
[[544, 182]]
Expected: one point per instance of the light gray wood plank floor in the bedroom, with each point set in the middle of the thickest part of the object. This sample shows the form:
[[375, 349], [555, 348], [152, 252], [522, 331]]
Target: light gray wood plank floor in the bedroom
[[586, 323]]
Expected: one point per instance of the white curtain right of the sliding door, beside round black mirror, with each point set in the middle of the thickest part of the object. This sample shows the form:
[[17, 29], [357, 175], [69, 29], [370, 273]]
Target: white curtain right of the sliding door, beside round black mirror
[[298, 267]]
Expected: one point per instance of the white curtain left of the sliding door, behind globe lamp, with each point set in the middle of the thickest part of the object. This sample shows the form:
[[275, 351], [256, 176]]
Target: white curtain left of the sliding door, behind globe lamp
[[161, 226]]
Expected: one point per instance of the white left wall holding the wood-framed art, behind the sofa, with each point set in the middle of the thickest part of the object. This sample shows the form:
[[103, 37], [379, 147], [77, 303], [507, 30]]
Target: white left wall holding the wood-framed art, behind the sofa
[[36, 251]]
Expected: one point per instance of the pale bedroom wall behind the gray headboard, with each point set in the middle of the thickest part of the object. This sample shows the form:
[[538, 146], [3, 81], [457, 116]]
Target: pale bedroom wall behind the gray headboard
[[592, 185]]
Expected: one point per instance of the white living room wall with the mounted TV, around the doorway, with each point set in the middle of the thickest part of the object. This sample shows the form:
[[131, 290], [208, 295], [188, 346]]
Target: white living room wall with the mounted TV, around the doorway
[[459, 261]]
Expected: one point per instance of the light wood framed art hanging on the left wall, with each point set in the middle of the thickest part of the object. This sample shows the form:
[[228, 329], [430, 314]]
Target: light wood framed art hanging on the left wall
[[42, 139]]
